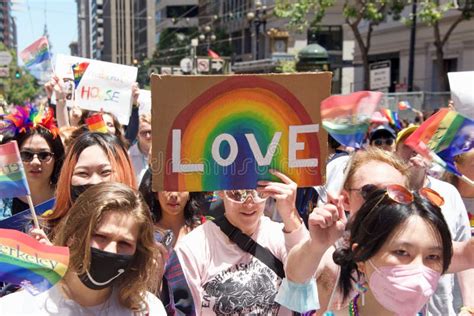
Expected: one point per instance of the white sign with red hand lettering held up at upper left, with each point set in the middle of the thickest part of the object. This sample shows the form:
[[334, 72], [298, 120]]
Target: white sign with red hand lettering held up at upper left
[[104, 86]]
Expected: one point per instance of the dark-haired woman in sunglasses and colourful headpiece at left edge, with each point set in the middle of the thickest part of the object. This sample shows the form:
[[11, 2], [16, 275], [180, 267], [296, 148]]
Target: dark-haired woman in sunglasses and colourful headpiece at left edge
[[41, 152]]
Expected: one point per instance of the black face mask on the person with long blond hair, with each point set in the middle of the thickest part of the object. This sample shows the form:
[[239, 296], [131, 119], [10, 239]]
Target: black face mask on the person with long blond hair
[[105, 269]]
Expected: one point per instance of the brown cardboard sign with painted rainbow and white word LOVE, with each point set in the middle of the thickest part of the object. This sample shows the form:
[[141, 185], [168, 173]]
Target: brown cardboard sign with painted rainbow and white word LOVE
[[226, 132]]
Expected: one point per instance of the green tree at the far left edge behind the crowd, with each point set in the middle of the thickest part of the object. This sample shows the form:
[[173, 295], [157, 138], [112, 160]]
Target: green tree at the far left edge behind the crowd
[[20, 86]]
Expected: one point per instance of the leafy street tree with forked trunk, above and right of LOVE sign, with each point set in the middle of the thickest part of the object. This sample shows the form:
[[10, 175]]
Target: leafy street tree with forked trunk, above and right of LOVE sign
[[355, 12]]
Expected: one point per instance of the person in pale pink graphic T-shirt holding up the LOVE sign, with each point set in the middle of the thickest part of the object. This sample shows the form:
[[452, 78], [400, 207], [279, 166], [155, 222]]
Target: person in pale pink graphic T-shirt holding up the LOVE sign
[[224, 273]]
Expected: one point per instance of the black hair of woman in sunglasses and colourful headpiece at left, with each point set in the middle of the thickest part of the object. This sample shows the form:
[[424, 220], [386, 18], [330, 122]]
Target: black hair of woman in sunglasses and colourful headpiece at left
[[54, 143]]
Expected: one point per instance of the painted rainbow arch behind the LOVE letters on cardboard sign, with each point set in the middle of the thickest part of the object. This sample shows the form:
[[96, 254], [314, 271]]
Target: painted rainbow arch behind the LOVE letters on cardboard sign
[[239, 106]]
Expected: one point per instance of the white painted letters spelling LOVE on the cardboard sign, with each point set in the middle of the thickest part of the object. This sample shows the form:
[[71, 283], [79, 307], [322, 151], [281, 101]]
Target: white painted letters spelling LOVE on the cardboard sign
[[261, 158]]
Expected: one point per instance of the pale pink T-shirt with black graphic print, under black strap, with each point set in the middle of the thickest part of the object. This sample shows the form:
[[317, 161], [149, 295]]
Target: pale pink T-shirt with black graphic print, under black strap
[[225, 280]]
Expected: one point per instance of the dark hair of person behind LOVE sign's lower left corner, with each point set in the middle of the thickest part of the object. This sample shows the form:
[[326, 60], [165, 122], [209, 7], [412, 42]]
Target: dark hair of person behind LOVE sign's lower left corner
[[192, 214]]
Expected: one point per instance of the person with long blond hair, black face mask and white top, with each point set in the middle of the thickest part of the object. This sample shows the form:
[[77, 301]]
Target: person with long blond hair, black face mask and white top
[[114, 260]]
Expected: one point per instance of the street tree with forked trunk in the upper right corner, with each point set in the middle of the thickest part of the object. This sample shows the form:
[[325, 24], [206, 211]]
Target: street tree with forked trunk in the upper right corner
[[431, 13]]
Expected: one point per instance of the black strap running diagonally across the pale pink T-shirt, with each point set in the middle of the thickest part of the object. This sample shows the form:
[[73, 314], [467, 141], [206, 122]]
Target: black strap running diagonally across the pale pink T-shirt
[[247, 244]]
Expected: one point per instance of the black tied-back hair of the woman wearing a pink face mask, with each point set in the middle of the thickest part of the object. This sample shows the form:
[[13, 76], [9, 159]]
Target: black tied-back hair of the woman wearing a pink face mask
[[375, 222]]
